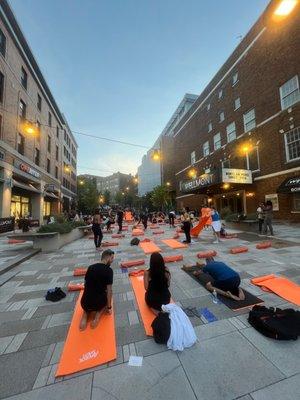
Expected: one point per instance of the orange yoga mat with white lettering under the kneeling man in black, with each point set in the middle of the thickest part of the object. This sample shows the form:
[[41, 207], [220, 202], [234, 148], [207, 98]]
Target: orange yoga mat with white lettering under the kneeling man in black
[[88, 348]]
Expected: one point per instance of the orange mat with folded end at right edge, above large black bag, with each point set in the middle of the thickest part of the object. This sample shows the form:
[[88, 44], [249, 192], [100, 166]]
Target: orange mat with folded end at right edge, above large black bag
[[281, 286]]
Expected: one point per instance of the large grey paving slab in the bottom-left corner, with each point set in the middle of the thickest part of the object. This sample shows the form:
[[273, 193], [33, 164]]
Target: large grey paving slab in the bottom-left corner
[[19, 370]]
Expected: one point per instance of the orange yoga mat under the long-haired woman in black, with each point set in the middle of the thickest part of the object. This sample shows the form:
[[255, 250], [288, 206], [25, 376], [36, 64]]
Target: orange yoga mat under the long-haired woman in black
[[137, 281]]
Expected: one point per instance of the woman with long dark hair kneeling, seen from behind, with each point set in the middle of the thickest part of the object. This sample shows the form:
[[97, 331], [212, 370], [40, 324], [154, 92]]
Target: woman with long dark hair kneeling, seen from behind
[[156, 283]]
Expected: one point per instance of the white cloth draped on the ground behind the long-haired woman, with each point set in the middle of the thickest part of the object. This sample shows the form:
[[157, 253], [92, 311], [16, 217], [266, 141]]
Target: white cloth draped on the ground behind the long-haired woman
[[182, 331]]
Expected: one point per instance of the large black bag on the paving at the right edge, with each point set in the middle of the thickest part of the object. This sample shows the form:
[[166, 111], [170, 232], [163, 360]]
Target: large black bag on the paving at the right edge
[[276, 323]]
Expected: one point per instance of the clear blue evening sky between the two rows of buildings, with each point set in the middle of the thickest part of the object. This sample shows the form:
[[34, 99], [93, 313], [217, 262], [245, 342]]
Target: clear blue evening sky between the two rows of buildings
[[119, 68]]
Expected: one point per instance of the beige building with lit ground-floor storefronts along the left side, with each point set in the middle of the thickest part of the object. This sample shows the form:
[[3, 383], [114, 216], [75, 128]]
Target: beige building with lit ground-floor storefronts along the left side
[[31, 131]]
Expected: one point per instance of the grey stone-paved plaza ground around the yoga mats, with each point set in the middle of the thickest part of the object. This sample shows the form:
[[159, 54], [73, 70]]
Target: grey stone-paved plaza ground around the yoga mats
[[230, 361]]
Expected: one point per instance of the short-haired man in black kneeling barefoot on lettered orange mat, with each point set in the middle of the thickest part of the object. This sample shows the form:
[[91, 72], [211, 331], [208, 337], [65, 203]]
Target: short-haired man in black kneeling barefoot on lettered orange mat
[[97, 294]]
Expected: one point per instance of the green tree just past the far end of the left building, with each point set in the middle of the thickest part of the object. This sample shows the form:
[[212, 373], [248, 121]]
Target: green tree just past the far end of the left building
[[88, 197]]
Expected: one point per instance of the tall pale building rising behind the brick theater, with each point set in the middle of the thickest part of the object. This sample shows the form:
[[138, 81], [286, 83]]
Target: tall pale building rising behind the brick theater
[[153, 172]]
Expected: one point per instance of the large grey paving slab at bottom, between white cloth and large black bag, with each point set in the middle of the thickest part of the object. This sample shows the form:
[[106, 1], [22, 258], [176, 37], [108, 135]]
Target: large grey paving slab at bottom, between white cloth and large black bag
[[247, 370]]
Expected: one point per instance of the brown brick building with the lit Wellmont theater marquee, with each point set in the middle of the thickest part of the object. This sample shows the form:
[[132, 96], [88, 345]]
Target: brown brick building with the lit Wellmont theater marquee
[[239, 144]]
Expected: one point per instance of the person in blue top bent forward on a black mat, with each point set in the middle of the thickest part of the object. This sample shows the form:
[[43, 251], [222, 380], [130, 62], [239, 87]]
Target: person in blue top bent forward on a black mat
[[226, 281]]
